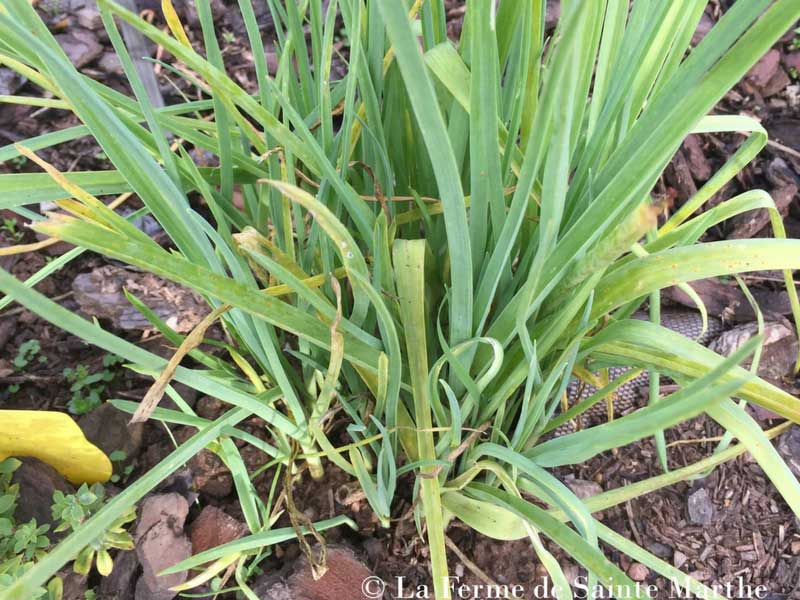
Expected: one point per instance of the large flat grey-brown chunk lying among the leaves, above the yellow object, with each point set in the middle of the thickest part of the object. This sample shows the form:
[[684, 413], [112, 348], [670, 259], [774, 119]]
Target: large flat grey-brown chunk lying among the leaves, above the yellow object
[[100, 294]]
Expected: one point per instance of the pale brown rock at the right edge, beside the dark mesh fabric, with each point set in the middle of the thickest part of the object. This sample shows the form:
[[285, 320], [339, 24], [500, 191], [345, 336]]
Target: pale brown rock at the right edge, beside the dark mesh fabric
[[779, 351]]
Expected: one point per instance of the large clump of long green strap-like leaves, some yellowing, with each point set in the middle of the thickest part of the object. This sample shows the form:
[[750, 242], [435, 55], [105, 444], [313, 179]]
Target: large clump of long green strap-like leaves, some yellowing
[[432, 246]]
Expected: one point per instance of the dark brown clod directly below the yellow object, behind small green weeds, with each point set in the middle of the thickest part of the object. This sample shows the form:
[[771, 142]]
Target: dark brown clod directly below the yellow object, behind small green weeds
[[37, 482]]
